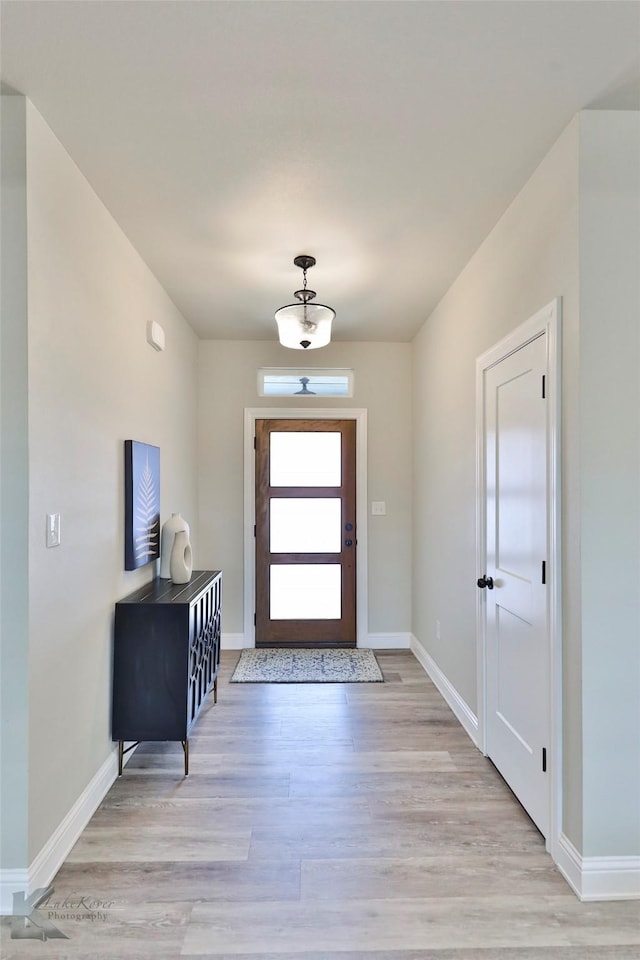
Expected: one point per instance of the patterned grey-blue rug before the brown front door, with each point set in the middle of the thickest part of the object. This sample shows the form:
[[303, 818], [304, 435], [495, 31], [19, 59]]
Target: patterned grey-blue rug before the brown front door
[[307, 666]]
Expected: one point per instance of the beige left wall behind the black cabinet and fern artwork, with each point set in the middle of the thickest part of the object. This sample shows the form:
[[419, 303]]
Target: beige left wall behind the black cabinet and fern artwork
[[93, 382]]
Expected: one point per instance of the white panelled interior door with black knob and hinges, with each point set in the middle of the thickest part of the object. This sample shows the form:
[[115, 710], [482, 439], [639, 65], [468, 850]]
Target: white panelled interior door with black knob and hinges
[[517, 618]]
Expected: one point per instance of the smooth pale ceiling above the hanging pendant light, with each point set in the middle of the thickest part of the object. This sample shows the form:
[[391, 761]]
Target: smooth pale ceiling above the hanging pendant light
[[384, 138]]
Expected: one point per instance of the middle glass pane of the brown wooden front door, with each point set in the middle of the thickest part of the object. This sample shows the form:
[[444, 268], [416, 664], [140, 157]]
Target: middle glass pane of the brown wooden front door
[[305, 525]]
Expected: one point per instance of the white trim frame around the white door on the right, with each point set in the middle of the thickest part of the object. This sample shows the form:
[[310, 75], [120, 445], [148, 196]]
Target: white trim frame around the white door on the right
[[547, 321]]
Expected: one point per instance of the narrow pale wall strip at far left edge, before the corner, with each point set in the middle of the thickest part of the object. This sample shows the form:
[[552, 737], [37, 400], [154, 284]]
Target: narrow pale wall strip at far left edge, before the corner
[[14, 492]]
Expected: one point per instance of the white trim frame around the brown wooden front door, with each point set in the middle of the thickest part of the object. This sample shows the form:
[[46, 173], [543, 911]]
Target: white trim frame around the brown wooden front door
[[251, 414]]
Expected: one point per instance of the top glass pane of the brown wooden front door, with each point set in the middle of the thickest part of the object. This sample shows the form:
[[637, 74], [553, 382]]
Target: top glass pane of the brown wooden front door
[[305, 459]]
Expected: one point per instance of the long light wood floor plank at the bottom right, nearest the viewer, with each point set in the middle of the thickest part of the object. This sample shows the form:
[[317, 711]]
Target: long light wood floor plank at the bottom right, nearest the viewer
[[436, 923]]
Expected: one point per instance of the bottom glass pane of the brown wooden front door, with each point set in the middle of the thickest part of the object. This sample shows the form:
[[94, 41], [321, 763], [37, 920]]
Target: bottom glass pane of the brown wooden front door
[[310, 591]]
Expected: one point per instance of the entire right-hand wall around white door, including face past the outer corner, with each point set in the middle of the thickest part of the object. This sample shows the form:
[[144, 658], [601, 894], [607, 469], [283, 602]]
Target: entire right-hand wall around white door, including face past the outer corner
[[571, 232]]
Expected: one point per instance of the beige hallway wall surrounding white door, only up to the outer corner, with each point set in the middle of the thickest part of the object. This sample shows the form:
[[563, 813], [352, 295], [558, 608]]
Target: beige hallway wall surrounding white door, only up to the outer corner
[[528, 259]]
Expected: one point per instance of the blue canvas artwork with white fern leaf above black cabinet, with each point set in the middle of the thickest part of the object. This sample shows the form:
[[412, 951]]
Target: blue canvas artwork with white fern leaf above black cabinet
[[142, 503]]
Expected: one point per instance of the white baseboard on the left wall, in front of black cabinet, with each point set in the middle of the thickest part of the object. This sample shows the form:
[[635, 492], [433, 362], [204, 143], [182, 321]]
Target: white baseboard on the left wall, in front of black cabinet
[[57, 848]]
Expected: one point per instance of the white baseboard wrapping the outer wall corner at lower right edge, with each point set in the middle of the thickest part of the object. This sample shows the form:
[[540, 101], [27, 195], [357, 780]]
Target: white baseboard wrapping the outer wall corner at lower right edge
[[598, 878]]
